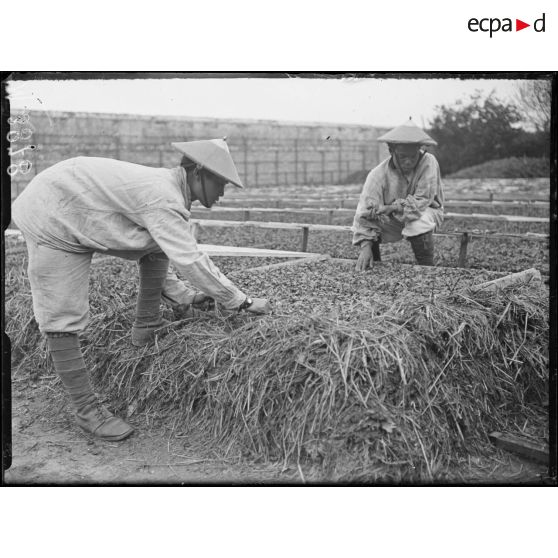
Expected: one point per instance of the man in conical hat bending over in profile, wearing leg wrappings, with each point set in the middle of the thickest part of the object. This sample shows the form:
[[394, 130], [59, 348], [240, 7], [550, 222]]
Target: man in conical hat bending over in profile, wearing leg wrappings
[[88, 204]]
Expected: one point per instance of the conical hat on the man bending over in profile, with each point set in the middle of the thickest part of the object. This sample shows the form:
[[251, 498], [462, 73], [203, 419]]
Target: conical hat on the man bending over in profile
[[213, 155]]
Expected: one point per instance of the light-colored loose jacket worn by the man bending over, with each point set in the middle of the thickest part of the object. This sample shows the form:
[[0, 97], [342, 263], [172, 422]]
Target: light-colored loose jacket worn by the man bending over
[[89, 204]]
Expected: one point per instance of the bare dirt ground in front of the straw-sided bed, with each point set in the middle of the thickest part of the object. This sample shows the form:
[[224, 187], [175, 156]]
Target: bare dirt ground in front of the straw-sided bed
[[49, 449]]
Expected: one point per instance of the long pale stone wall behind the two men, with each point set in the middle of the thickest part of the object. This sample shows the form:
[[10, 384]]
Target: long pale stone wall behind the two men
[[266, 152]]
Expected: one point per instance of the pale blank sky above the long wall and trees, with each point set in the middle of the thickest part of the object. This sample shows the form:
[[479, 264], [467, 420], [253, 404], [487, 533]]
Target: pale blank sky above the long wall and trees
[[364, 101]]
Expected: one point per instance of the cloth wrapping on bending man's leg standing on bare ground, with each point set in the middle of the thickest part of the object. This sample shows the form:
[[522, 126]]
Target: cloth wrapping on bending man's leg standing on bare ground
[[70, 366]]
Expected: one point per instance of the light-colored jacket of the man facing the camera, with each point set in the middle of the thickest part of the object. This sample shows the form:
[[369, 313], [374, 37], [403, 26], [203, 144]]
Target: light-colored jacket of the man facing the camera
[[385, 184]]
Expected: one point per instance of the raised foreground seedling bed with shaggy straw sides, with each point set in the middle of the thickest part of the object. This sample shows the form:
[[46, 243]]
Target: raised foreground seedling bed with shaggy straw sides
[[396, 375]]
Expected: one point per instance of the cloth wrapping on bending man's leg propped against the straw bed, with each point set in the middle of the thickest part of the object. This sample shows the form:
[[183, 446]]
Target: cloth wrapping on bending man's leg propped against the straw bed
[[153, 273]]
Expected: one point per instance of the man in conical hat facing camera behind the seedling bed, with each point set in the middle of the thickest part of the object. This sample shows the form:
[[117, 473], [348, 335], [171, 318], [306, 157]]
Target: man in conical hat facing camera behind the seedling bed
[[402, 198]]
